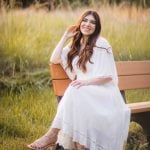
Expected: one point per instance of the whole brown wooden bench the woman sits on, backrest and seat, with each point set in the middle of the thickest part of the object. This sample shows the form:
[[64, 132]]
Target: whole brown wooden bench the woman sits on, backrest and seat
[[132, 75]]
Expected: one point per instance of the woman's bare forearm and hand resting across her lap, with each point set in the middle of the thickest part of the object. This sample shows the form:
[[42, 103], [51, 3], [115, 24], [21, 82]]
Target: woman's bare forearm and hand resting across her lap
[[94, 81]]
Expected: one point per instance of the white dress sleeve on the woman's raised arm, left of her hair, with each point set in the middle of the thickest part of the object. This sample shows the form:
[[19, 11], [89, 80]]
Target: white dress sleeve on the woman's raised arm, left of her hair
[[64, 53]]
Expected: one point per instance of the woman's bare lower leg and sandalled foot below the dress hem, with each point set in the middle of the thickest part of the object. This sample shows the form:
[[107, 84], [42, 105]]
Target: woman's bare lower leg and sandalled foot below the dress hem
[[48, 139]]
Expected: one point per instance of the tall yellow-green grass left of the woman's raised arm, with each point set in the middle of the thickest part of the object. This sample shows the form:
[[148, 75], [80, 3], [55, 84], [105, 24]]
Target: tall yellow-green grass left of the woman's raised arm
[[27, 38]]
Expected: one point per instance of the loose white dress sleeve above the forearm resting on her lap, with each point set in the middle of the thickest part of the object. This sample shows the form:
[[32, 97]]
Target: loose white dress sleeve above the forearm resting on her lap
[[104, 64]]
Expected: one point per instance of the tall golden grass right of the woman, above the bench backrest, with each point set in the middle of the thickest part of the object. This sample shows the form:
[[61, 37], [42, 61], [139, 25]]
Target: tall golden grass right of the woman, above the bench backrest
[[129, 33]]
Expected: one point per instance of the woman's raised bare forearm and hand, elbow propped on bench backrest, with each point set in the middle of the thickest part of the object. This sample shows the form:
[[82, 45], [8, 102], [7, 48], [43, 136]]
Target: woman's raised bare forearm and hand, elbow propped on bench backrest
[[56, 55]]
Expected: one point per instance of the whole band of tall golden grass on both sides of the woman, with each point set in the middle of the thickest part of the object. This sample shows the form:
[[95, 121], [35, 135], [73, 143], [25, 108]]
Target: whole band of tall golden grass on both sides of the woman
[[28, 37]]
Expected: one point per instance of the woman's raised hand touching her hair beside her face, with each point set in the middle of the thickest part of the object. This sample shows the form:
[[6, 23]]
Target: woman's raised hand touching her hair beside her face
[[70, 32]]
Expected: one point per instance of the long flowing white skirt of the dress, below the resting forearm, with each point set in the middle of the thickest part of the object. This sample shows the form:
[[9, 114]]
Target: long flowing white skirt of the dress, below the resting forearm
[[94, 116]]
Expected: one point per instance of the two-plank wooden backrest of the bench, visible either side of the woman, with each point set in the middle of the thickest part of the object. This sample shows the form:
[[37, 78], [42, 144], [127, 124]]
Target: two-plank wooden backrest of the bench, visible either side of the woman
[[132, 75]]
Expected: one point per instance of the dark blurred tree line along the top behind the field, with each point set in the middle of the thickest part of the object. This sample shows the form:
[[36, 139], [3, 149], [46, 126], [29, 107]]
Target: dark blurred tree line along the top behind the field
[[53, 4]]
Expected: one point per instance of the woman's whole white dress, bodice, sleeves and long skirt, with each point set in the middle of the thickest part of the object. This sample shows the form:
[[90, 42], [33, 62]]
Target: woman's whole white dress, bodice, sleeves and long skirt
[[95, 115]]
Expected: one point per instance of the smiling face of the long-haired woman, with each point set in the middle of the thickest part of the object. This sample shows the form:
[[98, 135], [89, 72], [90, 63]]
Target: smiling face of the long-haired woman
[[88, 25]]
